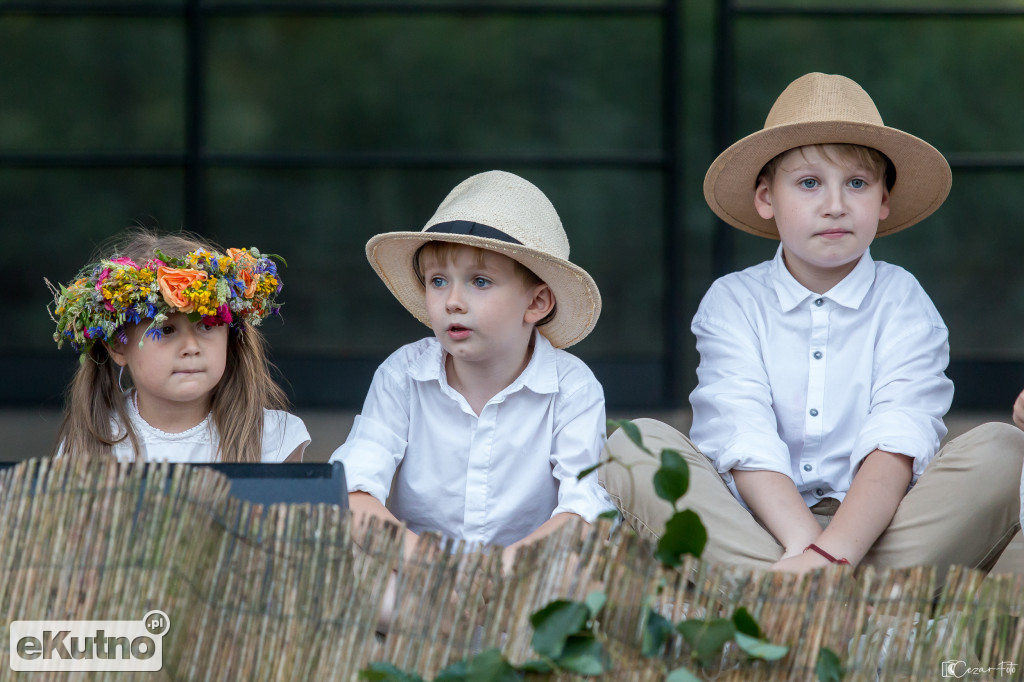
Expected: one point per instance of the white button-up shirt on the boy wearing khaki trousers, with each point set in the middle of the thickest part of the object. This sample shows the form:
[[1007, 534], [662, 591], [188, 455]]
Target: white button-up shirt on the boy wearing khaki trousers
[[809, 386]]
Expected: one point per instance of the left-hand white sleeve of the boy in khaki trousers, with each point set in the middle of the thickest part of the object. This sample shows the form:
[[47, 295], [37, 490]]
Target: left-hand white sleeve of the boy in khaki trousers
[[734, 421]]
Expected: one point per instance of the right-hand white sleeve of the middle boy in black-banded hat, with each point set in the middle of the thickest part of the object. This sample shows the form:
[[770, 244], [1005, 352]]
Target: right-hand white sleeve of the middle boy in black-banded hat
[[577, 445]]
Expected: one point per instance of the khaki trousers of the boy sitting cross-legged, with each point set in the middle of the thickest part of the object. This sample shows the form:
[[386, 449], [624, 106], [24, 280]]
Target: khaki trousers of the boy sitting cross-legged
[[963, 510]]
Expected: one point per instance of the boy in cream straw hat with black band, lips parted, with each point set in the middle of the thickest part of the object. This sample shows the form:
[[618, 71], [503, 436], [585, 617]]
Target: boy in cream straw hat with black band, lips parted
[[490, 420]]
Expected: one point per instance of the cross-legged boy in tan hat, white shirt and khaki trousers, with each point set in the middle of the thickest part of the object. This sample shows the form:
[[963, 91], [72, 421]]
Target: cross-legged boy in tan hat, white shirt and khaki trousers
[[822, 389]]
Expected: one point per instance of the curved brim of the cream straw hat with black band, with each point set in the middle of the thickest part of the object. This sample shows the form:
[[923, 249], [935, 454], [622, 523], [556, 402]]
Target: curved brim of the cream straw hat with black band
[[577, 296]]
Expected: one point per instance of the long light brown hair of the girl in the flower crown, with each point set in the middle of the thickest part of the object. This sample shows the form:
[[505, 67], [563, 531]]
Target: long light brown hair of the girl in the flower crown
[[94, 401]]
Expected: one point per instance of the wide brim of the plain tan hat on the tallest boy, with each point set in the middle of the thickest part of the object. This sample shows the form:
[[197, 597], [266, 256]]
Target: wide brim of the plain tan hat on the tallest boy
[[923, 177]]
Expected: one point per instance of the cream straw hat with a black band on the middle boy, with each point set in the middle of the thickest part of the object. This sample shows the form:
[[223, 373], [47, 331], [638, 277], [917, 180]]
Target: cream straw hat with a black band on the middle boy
[[504, 214]]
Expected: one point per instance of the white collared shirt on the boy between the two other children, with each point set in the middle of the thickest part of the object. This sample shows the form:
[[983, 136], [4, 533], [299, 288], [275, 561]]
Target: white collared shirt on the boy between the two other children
[[491, 479]]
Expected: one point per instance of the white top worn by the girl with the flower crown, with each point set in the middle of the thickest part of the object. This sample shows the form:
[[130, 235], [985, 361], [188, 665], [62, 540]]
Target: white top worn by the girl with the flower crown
[[283, 433]]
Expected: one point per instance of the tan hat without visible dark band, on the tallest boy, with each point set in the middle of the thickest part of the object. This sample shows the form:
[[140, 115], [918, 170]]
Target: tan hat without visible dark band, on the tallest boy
[[822, 109]]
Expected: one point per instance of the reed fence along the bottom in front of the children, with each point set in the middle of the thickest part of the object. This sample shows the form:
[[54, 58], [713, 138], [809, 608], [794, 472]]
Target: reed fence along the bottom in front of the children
[[286, 593]]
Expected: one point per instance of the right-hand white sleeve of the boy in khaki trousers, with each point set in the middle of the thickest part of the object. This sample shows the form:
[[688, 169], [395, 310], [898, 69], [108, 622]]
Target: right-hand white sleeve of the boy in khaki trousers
[[911, 393]]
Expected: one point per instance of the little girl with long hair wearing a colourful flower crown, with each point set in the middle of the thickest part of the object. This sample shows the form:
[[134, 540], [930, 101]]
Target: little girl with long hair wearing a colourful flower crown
[[173, 364]]
